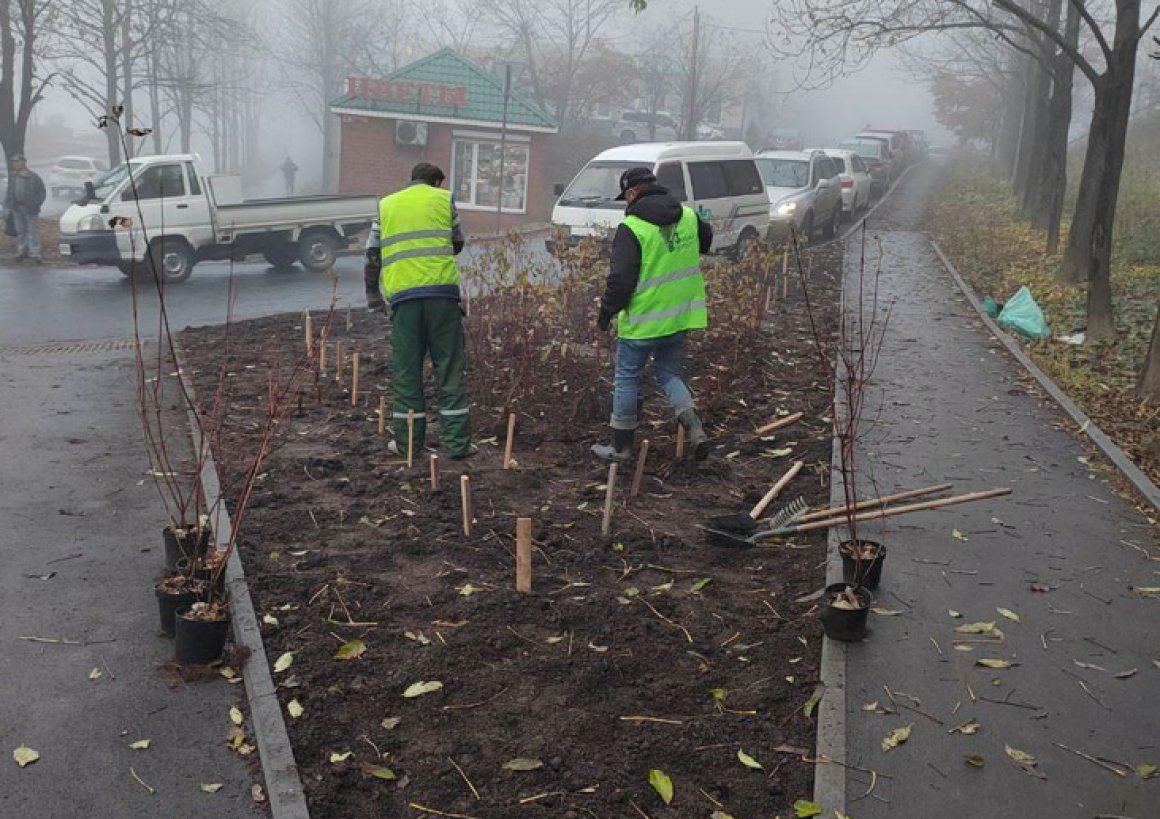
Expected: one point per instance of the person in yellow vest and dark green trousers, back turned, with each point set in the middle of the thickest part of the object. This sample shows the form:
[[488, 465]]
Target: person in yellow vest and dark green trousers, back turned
[[414, 248]]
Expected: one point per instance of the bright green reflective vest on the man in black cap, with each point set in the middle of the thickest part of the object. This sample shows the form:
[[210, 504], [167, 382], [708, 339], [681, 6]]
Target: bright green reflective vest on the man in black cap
[[671, 294]]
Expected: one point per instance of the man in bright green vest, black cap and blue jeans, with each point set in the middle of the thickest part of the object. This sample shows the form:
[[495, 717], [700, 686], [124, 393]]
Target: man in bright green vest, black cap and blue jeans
[[656, 291]]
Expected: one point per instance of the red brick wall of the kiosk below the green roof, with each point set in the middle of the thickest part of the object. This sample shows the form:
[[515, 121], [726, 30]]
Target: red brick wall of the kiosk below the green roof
[[373, 164]]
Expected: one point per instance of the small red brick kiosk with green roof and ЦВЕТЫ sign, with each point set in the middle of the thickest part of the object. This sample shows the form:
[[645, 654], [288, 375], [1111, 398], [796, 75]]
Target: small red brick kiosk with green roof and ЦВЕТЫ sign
[[447, 111]]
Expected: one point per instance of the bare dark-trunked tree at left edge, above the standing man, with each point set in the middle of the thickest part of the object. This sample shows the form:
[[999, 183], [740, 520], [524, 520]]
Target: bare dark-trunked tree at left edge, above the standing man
[[24, 25]]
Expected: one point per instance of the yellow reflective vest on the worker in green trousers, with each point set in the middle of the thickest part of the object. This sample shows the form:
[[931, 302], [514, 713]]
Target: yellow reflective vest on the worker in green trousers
[[416, 244]]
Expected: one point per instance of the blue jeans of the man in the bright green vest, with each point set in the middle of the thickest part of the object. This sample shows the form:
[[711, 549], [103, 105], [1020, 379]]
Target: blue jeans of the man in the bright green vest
[[669, 368]]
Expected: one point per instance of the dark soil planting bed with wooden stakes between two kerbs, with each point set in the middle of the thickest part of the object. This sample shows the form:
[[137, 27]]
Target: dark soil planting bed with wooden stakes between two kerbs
[[646, 650]]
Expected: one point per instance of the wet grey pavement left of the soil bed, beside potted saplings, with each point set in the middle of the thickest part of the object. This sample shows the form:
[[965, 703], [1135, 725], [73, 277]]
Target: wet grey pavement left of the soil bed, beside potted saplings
[[84, 521]]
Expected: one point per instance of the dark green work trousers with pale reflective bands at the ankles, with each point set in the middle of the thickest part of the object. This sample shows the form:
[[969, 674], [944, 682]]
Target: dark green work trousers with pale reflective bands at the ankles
[[422, 328]]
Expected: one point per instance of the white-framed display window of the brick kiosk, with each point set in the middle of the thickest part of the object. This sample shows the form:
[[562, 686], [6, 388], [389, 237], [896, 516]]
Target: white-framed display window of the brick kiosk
[[476, 176]]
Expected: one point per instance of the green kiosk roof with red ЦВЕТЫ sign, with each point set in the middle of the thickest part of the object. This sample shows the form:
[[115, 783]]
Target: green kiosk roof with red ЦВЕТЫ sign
[[443, 88]]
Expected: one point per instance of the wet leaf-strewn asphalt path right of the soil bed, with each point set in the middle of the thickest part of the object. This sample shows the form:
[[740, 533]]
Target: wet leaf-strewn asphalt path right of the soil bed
[[949, 405]]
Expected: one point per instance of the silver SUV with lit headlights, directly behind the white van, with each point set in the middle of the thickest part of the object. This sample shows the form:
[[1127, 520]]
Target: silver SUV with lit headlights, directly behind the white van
[[804, 193]]
